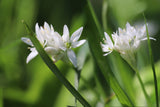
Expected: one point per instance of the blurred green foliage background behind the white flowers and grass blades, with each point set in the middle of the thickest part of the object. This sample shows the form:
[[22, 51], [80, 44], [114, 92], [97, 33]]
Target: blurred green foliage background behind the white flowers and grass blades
[[33, 84]]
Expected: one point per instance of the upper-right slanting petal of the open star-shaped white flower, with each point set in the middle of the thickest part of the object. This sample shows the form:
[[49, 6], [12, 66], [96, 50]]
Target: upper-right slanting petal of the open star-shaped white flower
[[76, 35]]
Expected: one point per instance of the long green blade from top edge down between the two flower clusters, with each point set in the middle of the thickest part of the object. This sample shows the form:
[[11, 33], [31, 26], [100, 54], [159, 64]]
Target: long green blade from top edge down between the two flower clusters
[[95, 48]]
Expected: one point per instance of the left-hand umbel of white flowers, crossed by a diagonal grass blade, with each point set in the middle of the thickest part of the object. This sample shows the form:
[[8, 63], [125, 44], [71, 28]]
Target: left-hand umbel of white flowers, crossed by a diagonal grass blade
[[54, 44]]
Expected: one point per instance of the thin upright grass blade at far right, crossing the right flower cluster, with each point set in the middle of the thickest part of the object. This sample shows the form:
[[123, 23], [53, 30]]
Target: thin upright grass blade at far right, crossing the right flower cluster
[[152, 64]]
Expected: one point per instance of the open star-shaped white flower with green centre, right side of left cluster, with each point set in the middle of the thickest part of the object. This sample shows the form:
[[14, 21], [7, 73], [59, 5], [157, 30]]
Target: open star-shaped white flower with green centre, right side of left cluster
[[72, 42]]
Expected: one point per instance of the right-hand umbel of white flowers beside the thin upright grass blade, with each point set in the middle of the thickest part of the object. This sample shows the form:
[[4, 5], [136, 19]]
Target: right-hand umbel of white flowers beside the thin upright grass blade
[[125, 41]]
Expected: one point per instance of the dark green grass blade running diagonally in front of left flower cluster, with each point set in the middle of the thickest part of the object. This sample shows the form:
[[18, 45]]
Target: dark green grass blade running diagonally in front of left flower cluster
[[53, 67]]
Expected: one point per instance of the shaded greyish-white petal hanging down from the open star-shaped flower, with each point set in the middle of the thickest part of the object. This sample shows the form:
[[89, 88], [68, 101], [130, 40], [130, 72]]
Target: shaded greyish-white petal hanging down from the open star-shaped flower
[[72, 57]]
